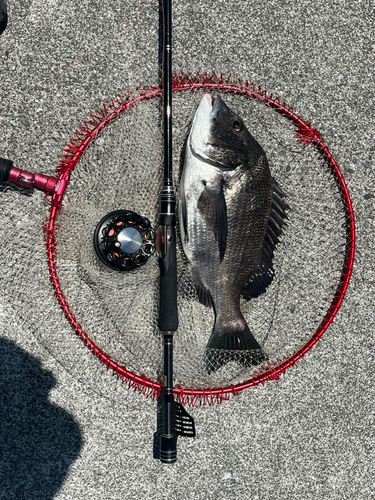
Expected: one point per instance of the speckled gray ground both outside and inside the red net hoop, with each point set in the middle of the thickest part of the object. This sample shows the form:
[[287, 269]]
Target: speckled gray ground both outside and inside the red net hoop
[[69, 427]]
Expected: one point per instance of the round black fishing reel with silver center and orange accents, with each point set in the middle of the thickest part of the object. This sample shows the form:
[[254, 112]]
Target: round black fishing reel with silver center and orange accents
[[124, 240]]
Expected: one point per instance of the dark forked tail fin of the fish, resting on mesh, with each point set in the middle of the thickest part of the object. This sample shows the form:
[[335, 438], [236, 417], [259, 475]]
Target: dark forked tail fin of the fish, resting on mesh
[[232, 344]]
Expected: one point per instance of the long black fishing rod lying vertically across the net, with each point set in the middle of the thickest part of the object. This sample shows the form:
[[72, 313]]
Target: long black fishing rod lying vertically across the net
[[168, 317]]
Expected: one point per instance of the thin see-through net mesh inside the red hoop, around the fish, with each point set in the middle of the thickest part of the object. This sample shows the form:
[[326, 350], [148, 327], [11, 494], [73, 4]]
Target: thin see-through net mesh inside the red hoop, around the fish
[[123, 169]]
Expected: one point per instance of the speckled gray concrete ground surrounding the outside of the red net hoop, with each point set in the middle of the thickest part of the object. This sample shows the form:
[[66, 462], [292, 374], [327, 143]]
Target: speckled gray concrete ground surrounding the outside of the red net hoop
[[74, 432]]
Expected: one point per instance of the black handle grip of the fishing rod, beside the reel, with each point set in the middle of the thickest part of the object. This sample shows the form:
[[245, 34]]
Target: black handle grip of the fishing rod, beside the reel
[[168, 317]]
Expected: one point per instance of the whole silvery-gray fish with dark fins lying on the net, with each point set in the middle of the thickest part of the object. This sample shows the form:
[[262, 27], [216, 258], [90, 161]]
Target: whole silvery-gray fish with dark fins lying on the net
[[230, 214]]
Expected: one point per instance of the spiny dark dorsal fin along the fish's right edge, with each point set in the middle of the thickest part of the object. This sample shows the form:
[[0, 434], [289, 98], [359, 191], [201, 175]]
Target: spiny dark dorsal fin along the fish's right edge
[[264, 274]]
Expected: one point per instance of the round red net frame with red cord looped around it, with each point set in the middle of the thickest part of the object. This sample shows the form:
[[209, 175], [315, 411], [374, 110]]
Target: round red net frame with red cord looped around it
[[78, 145]]
